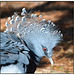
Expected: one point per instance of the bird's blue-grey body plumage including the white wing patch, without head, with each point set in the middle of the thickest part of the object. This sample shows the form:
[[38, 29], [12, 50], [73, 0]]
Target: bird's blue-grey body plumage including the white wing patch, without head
[[13, 54]]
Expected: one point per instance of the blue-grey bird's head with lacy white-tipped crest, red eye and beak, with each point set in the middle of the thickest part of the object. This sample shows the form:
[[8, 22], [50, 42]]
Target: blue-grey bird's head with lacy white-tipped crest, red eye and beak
[[41, 36]]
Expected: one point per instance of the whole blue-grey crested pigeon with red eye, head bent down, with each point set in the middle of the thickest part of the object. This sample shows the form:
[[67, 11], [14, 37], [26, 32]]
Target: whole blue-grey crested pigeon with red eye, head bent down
[[25, 41]]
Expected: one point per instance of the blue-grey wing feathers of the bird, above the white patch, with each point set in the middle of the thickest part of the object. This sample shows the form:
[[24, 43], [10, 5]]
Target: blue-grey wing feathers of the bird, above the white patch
[[11, 50]]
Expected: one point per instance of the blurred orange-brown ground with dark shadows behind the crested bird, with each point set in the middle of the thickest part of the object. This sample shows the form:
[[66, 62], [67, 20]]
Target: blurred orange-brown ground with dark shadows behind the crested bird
[[62, 14]]
